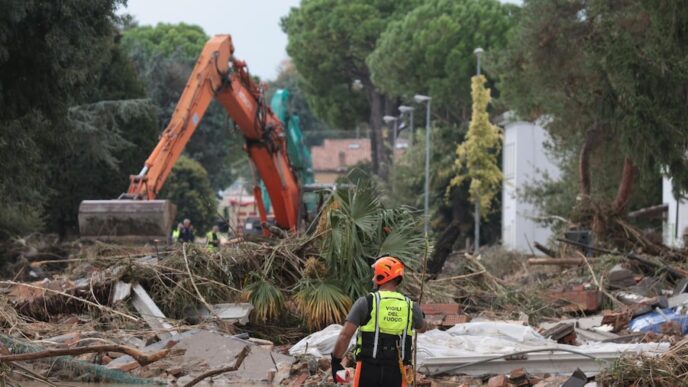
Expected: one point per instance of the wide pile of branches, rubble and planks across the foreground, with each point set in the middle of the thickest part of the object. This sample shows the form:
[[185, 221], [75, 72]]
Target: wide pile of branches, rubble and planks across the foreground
[[184, 315]]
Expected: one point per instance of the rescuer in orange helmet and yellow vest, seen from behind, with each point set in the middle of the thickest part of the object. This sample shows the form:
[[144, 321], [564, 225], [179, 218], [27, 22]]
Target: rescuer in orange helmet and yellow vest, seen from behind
[[387, 321]]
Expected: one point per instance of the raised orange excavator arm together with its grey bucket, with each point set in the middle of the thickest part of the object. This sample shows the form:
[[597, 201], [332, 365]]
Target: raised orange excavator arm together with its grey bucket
[[217, 74]]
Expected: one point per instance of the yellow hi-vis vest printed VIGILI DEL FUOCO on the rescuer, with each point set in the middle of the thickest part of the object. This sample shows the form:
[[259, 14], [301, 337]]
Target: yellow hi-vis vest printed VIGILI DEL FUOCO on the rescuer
[[391, 315]]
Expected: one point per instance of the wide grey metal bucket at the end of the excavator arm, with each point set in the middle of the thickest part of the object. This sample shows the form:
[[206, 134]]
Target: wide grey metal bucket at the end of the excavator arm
[[126, 220]]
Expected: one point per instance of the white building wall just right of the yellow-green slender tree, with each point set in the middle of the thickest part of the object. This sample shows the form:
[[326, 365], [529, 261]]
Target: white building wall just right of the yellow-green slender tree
[[524, 161]]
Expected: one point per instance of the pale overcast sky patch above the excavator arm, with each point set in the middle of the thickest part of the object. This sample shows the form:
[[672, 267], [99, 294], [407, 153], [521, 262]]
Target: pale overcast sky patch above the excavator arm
[[253, 24]]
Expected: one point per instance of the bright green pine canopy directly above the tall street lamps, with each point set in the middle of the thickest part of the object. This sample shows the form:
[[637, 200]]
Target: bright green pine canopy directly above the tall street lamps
[[430, 51]]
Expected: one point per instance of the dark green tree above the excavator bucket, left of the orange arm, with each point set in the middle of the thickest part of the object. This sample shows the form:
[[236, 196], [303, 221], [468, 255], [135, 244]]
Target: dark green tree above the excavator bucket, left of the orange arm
[[110, 140]]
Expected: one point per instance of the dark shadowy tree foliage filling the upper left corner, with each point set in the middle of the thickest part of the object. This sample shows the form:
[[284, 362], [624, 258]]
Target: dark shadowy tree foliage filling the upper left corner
[[51, 57]]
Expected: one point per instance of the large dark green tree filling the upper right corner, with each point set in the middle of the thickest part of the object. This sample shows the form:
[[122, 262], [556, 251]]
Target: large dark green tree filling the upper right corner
[[611, 76]]
